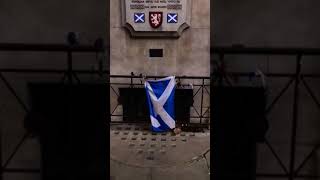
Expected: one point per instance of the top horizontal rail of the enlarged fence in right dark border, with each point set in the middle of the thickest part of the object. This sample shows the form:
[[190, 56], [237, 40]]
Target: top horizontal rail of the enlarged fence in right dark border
[[264, 50]]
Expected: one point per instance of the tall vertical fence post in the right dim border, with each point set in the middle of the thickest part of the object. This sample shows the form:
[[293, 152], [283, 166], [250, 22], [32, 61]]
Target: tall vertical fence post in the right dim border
[[295, 118]]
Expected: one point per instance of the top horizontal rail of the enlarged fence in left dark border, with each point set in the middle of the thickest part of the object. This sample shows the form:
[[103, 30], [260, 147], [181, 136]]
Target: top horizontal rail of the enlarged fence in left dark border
[[48, 47]]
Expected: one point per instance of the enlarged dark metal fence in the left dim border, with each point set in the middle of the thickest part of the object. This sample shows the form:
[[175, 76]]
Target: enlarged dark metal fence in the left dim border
[[68, 74]]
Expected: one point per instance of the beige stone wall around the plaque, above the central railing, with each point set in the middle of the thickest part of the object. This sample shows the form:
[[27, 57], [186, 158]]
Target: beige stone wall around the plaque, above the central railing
[[189, 55]]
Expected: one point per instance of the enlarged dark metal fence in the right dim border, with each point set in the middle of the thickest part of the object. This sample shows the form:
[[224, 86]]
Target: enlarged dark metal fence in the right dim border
[[297, 78]]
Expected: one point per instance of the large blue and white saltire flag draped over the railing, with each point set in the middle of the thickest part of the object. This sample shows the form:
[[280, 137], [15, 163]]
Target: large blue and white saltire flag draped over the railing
[[160, 97]]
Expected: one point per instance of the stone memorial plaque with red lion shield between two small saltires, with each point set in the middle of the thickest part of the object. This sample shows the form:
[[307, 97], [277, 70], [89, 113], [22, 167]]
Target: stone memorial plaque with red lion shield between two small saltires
[[156, 18]]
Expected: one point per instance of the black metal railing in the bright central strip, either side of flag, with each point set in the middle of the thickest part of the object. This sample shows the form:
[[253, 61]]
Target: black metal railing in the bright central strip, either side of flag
[[200, 109]]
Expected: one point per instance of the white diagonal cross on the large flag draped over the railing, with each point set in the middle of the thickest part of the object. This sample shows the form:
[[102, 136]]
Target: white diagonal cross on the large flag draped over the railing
[[158, 103]]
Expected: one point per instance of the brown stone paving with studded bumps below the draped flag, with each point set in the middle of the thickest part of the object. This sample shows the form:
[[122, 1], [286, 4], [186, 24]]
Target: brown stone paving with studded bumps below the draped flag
[[137, 153]]
